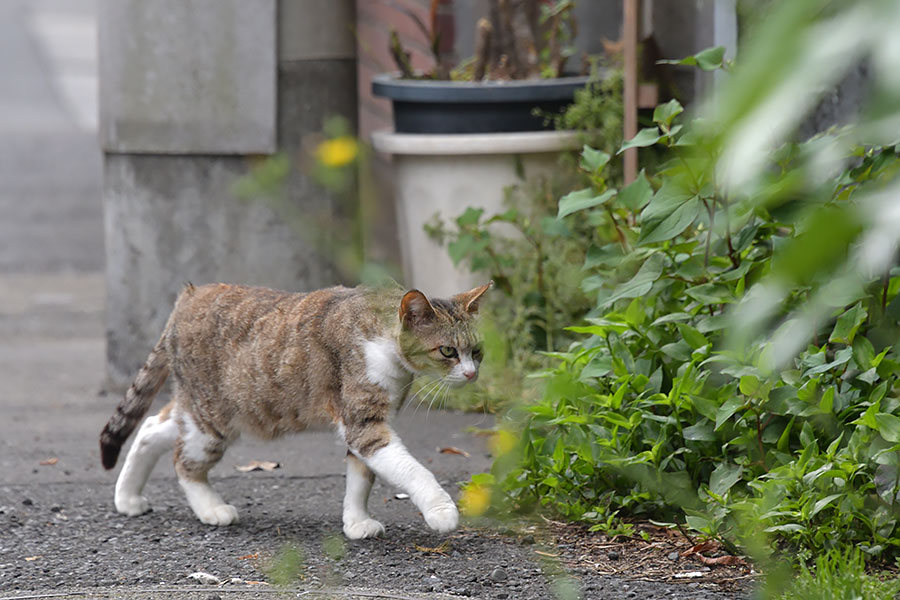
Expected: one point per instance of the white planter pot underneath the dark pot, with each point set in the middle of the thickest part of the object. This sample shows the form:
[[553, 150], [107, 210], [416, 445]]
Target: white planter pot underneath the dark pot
[[447, 173]]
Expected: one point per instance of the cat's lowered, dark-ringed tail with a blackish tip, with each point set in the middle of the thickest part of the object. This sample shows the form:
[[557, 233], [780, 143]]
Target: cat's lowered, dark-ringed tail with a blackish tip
[[135, 405]]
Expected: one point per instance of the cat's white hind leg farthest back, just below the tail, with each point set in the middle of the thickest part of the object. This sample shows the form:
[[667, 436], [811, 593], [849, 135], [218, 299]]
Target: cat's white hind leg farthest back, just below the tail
[[155, 437]]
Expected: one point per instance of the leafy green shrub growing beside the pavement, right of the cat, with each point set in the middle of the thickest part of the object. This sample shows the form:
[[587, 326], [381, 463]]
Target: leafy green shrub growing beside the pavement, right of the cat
[[670, 407]]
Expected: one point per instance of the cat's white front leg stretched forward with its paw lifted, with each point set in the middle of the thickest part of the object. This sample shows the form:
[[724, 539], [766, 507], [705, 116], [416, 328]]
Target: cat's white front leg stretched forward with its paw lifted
[[394, 464]]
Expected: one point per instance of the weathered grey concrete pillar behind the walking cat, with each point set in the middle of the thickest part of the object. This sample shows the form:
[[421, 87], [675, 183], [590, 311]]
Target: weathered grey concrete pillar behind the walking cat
[[192, 92]]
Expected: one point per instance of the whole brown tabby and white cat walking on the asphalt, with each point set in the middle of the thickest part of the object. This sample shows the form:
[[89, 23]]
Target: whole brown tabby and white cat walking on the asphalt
[[265, 362]]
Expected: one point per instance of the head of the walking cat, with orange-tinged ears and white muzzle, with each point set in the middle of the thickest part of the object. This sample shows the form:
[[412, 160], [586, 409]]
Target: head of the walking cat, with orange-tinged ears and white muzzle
[[439, 337]]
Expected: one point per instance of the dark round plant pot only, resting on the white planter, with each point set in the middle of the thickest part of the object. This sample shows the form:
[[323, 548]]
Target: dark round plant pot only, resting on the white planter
[[427, 106]]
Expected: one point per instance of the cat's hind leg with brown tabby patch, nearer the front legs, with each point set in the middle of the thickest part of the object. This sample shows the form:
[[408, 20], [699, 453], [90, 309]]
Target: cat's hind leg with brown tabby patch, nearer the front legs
[[196, 452]]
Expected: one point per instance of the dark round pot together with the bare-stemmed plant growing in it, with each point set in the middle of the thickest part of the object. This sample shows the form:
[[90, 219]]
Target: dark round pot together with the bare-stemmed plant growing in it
[[516, 76]]
